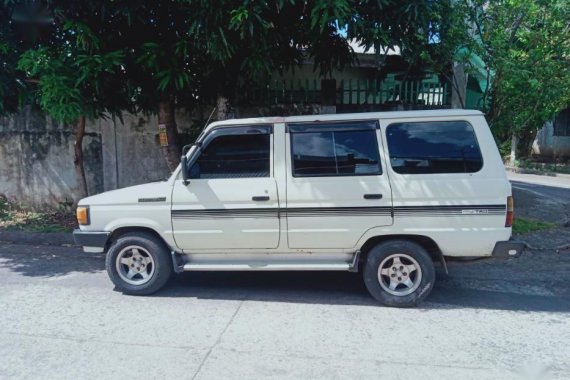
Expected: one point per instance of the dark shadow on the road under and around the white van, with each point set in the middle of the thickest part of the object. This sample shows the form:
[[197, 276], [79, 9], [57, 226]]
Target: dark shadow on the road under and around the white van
[[487, 284]]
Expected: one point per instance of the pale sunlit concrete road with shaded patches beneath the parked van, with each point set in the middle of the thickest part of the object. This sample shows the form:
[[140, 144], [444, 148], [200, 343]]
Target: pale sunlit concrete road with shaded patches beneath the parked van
[[60, 318]]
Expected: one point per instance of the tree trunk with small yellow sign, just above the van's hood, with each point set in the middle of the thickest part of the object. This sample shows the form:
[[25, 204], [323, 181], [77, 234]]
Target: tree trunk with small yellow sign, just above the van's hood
[[169, 134]]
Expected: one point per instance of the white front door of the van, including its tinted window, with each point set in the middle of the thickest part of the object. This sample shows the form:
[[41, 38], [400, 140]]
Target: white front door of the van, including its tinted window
[[231, 200]]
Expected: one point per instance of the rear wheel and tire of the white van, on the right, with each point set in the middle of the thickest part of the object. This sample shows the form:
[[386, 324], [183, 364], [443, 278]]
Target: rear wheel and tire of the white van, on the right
[[397, 283]]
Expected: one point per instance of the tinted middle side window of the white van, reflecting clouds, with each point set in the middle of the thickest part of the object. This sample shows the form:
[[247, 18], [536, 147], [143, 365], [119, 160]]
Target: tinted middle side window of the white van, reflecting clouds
[[339, 149]]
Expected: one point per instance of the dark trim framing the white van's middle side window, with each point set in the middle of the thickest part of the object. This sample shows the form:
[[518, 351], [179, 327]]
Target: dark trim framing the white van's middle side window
[[319, 126]]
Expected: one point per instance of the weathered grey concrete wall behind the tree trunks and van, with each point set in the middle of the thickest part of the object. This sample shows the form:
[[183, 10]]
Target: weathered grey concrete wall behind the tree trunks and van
[[36, 153]]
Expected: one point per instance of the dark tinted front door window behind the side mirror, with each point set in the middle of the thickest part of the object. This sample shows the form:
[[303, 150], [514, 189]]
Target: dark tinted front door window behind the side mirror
[[236, 155]]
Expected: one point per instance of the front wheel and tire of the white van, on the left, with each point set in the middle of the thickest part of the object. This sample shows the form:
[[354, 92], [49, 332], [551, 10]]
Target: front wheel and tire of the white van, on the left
[[138, 263]]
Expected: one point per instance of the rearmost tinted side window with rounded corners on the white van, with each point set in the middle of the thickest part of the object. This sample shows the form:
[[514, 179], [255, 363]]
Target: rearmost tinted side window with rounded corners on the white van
[[433, 147]]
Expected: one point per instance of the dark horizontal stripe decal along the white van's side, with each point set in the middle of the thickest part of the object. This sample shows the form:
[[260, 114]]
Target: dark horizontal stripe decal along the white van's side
[[399, 211]]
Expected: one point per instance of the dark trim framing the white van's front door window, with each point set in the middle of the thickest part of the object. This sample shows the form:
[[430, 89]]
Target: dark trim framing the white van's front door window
[[266, 129]]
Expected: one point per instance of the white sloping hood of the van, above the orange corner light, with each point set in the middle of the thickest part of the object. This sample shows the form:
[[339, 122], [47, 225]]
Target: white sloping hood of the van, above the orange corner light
[[148, 192]]
